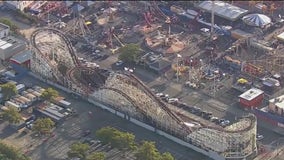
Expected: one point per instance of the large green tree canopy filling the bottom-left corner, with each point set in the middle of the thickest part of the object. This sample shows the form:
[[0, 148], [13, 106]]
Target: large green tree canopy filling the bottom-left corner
[[10, 153]]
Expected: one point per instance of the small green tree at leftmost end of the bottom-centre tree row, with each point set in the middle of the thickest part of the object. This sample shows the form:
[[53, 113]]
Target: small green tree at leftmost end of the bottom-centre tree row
[[78, 150]]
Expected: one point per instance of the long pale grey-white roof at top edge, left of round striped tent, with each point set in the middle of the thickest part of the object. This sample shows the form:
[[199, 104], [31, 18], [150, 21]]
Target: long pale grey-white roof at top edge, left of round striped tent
[[224, 10]]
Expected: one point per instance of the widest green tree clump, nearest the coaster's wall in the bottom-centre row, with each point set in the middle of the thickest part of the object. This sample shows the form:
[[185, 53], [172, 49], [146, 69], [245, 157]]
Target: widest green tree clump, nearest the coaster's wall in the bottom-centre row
[[118, 139]]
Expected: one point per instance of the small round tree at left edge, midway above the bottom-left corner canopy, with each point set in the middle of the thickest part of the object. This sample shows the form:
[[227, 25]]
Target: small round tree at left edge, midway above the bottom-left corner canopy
[[12, 115]]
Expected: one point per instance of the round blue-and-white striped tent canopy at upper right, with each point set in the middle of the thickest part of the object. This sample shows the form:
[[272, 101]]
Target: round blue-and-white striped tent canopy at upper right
[[257, 20]]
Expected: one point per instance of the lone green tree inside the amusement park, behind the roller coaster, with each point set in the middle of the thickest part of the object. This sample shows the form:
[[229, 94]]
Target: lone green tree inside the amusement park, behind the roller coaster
[[129, 52]]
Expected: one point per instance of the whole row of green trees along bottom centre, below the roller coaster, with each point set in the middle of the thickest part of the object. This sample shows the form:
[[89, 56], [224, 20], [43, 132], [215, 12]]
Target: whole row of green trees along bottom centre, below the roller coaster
[[124, 141]]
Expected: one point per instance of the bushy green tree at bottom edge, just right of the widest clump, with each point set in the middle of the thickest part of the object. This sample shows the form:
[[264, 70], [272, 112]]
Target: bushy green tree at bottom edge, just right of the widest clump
[[147, 151]]
